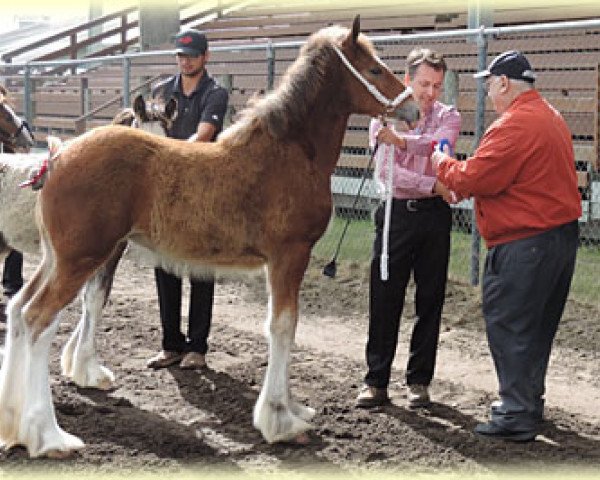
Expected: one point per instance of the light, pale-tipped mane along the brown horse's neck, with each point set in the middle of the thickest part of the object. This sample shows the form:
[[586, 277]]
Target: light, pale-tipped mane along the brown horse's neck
[[282, 113]]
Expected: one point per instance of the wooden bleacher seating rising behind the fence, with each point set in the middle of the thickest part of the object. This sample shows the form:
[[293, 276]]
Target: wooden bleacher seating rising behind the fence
[[567, 63]]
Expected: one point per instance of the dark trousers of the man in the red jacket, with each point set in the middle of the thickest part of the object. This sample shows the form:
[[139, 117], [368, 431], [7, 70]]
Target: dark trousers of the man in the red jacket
[[525, 287]]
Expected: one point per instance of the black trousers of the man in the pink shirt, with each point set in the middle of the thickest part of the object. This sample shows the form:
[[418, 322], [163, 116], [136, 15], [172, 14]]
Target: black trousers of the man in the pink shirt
[[419, 243]]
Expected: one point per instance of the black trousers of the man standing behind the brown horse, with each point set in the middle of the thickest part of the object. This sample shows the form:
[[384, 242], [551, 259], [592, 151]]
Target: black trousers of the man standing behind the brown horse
[[200, 314]]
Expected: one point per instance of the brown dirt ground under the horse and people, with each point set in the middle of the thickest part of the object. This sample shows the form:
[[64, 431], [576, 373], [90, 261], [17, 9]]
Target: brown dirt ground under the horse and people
[[177, 419]]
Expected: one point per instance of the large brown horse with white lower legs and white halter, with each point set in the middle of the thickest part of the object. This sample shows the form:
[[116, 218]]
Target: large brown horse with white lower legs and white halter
[[259, 196]]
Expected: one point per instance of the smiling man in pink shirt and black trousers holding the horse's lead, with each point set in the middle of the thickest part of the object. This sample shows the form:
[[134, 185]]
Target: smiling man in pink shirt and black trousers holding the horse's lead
[[419, 238]]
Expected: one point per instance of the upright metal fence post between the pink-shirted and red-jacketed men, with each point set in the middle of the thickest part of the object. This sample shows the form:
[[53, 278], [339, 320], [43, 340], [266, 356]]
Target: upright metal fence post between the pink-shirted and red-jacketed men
[[479, 127]]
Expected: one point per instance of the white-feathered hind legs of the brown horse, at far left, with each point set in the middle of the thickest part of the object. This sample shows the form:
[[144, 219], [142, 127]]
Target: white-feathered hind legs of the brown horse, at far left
[[26, 411]]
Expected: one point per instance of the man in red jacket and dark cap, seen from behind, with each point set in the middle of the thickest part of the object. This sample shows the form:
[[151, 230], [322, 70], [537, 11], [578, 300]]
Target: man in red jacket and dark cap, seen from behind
[[523, 179]]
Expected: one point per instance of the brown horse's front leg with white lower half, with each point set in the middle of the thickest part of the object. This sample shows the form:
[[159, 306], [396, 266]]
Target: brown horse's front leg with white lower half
[[276, 414]]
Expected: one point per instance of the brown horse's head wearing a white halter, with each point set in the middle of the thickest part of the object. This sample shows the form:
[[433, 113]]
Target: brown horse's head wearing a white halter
[[372, 87]]
